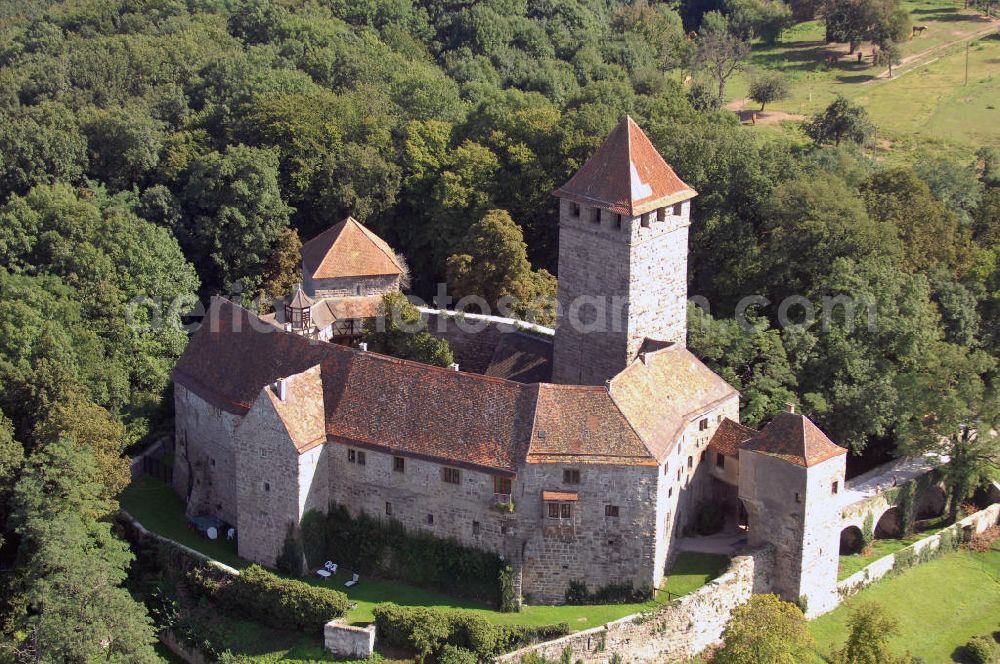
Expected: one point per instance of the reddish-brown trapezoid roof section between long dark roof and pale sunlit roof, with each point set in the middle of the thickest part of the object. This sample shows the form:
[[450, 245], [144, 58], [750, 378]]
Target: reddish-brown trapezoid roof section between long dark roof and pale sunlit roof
[[580, 423]]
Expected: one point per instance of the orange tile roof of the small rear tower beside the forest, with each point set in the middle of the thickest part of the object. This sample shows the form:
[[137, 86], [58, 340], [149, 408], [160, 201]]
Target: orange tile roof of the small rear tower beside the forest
[[348, 250]]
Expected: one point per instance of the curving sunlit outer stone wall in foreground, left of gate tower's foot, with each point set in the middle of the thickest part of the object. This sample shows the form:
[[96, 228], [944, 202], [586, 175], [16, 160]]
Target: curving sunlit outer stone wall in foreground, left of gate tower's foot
[[675, 632]]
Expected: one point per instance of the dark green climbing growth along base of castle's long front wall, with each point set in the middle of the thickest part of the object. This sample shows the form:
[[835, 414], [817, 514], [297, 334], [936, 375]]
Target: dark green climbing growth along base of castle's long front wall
[[384, 548]]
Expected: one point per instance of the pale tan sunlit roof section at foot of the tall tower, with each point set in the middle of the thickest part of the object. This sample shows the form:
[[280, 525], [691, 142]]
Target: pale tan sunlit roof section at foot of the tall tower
[[664, 390]]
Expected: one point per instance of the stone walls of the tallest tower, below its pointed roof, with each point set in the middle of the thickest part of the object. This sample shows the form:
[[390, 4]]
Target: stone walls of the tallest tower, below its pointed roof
[[620, 281]]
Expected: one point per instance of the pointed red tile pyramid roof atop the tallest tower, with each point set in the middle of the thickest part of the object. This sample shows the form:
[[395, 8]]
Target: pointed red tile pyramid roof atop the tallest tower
[[626, 175]]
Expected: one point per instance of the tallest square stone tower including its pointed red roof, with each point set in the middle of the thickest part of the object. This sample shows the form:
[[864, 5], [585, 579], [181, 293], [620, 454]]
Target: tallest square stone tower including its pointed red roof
[[623, 232]]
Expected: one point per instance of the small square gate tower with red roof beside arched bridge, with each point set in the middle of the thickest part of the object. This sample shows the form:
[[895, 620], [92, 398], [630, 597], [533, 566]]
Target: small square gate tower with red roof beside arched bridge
[[791, 480]]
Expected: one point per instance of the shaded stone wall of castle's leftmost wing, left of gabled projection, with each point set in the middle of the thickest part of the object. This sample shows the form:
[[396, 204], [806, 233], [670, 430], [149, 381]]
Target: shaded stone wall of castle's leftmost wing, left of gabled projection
[[204, 460]]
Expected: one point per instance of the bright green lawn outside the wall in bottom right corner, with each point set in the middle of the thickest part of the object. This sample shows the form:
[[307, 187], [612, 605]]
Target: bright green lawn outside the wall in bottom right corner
[[940, 605]]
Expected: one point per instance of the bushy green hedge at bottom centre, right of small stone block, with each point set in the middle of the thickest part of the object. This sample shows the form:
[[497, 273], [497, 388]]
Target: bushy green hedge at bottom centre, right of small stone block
[[427, 631]]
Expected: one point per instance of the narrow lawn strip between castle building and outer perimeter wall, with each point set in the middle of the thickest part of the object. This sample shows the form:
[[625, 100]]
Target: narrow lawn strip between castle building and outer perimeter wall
[[157, 507]]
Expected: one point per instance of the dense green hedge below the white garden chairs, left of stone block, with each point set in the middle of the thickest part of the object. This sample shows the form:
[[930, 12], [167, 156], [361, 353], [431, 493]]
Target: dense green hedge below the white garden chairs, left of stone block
[[271, 600]]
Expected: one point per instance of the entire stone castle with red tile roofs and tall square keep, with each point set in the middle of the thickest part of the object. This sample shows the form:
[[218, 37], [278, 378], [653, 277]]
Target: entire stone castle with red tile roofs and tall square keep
[[603, 440]]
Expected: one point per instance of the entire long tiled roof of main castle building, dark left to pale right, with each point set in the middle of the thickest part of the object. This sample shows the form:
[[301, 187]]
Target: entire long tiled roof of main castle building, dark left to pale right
[[459, 418]]
